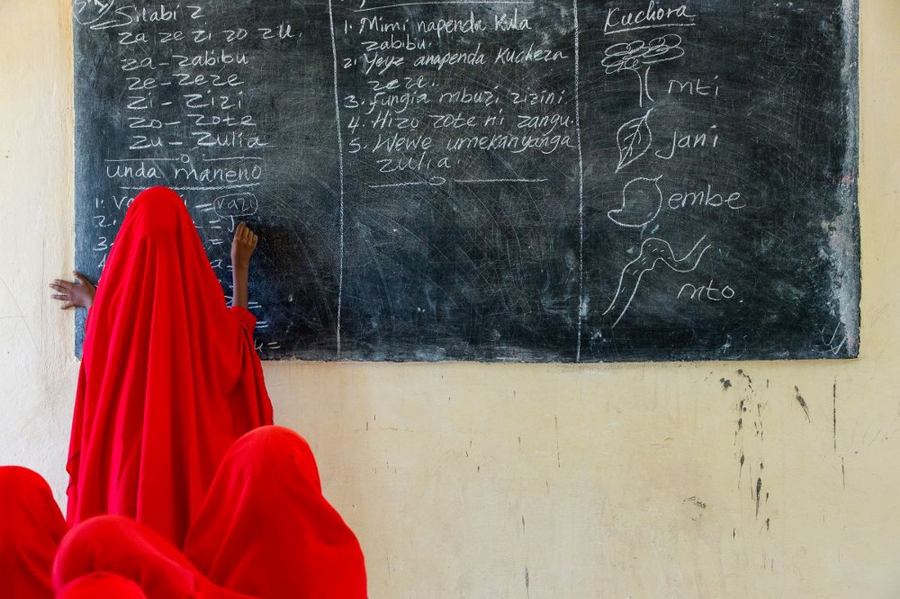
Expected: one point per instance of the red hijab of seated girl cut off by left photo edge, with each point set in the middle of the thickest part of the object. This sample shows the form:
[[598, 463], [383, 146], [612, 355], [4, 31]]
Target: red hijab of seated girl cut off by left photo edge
[[31, 527]]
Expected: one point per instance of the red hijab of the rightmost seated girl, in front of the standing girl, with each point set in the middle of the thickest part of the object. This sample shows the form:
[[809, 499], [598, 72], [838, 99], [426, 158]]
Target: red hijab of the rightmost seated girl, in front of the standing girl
[[266, 530]]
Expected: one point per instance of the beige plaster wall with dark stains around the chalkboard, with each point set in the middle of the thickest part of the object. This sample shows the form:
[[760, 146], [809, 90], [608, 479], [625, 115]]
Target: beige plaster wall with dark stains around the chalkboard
[[525, 481]]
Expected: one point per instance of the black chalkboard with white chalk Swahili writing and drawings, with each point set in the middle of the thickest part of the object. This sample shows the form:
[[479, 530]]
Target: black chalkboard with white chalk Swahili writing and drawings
[[502, 181]]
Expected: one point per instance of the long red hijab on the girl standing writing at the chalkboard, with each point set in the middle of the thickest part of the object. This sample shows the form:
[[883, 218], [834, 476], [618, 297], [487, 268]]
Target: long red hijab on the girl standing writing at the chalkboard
[[169, 379]]
